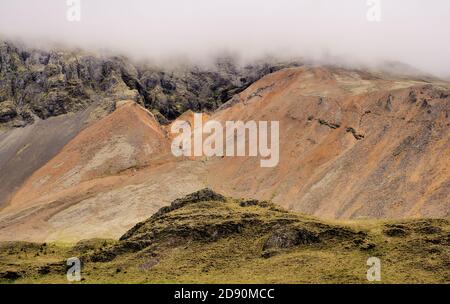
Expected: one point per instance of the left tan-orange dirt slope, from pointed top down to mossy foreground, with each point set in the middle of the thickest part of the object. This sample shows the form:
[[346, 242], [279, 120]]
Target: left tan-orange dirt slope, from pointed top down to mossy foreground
[[100, 182]]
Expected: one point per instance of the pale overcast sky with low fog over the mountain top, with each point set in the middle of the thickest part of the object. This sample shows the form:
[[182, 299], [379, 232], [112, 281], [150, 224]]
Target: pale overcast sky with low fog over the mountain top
[[416, 32]]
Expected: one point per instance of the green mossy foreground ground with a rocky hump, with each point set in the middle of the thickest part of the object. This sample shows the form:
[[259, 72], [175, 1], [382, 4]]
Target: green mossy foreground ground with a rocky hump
[[207, 238]]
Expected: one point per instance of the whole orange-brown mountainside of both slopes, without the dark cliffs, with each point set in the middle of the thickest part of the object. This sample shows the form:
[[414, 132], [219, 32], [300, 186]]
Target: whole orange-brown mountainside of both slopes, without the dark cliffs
[[352, 146]]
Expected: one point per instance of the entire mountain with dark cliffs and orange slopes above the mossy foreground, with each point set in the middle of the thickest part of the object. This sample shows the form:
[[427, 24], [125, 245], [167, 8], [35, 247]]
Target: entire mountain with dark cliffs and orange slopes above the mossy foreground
[[354, 144]]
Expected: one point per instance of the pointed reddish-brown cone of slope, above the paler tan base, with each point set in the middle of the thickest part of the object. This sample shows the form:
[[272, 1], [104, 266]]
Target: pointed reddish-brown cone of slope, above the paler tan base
[[128, 139]]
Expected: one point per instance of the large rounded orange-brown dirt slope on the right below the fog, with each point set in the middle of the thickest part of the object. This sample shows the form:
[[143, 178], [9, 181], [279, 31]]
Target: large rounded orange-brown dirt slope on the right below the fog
[[352, 145]]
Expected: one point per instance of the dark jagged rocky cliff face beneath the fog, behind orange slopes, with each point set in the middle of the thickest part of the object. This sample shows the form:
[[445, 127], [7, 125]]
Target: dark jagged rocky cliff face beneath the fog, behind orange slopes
[[41, 84]]
